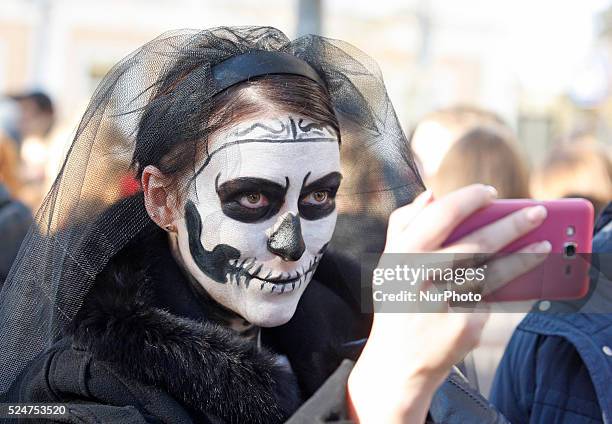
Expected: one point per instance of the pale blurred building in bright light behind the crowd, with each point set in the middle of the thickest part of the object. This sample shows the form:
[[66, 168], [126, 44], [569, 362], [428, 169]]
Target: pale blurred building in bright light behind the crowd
[[520, 58]]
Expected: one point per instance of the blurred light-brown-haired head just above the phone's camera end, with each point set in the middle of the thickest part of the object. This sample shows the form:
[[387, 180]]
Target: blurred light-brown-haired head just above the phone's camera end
[[575, 170]]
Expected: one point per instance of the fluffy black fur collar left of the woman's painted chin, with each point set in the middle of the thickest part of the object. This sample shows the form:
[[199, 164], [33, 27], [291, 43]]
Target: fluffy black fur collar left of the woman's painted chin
[[142, 317]]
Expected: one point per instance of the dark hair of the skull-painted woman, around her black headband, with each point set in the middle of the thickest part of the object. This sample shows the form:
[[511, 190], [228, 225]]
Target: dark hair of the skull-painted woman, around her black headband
[[177, 123]]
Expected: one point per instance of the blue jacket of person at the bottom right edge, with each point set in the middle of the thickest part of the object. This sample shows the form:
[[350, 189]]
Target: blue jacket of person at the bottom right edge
[[557, 368]]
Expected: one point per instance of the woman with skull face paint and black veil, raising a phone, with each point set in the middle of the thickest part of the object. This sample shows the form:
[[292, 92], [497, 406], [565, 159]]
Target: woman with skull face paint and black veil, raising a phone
[[219, 293]]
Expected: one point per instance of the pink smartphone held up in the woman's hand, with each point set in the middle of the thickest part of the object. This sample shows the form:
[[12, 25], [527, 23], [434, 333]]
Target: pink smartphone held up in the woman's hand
[[568, 227]]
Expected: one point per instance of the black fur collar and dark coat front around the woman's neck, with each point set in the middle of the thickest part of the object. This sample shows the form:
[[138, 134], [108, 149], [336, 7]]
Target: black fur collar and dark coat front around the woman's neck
[[143, 316]]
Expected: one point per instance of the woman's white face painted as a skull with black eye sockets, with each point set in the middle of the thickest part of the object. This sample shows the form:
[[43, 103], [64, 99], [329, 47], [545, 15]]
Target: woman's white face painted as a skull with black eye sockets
[[260, 214]]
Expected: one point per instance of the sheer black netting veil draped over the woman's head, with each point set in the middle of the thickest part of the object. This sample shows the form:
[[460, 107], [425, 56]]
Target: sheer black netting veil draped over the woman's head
[[156, 94]]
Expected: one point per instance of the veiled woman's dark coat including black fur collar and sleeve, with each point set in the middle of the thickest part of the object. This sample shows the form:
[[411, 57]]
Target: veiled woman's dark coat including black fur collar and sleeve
[[144, 349]]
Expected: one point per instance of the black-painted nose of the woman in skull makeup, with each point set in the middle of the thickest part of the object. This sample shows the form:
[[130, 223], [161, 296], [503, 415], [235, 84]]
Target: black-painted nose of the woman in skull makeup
[[286, 239]]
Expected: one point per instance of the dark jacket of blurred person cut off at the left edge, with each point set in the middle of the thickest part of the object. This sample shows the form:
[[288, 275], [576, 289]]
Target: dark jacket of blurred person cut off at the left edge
[[15, 220]]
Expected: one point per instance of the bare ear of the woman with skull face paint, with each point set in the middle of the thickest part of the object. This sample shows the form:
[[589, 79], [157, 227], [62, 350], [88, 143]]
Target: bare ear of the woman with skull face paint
[[160, 201]]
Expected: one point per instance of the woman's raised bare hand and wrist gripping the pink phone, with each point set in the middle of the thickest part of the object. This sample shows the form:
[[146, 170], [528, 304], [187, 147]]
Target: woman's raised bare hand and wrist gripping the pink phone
[[408, 355]]
